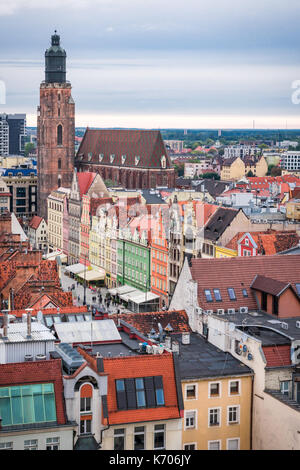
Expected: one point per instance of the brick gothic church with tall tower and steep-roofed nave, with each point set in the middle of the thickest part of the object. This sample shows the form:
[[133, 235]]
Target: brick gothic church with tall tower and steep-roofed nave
[[135, 159]]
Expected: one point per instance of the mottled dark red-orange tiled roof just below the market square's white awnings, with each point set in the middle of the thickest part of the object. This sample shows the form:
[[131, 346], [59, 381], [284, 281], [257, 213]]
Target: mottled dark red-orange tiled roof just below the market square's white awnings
[[144, 322]]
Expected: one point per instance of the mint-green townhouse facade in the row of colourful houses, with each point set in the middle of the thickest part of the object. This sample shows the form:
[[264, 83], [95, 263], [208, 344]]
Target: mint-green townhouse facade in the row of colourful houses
[[134, 265]]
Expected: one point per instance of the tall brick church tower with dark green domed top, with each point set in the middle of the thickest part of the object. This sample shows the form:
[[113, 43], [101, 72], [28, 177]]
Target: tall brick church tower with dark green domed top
[[55, 127]]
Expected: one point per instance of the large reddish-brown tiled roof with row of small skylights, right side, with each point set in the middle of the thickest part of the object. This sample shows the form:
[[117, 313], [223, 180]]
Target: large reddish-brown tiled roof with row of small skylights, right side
[[239, 273]]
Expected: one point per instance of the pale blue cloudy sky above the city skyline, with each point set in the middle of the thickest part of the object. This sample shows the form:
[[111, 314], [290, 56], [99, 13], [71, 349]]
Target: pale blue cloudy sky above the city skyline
[[159, 63]]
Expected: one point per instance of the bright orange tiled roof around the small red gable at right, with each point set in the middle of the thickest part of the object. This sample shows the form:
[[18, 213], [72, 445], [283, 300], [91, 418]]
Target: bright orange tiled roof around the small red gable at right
[[269, 243]]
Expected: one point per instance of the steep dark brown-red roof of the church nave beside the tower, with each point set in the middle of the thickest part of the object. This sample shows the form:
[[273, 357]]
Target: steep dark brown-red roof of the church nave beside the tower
[[147, 144]]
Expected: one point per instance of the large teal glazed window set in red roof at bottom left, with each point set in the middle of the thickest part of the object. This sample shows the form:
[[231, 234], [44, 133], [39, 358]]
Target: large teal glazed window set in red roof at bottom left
[[27, 404]]
